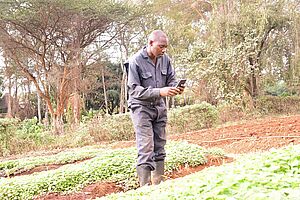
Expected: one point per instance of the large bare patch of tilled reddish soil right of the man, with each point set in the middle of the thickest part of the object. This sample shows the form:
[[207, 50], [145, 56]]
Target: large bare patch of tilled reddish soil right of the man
[[249, 136]]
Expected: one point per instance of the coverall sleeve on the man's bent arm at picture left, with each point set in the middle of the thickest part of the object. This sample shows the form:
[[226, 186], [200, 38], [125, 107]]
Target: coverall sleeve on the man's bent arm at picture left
[[135, 89]]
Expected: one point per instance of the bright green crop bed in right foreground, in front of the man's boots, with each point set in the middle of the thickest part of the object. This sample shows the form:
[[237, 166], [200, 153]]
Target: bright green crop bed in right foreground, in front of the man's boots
[[271, 175]]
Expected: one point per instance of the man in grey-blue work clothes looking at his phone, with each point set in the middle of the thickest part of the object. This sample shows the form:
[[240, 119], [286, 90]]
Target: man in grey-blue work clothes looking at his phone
[[151, 78]]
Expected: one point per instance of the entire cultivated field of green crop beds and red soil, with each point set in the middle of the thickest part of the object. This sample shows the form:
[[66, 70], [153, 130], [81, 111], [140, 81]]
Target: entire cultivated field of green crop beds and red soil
[[90, 173]]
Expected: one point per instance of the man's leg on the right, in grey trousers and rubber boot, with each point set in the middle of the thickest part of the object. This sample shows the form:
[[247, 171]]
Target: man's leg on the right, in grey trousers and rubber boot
[[159, 129]]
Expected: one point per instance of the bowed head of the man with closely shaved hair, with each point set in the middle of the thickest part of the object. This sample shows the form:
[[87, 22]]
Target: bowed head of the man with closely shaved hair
[[157, 43]]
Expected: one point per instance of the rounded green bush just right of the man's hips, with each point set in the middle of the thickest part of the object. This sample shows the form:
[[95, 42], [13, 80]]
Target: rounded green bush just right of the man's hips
[[193, 117]]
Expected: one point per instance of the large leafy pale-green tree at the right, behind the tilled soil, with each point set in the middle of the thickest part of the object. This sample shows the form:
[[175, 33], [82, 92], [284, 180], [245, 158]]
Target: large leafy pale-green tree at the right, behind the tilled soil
[[230, 57]]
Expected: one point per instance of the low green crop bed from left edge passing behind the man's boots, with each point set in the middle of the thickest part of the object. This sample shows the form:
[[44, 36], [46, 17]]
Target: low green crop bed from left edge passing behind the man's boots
[[112, 165]]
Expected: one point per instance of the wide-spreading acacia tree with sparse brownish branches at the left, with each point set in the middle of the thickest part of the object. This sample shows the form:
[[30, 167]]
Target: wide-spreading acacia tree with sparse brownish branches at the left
[[52, 42]]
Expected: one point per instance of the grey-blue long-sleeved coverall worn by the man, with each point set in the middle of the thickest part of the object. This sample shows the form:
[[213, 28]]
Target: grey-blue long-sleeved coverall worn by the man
[[148, 108]]
